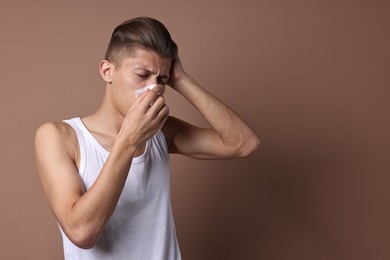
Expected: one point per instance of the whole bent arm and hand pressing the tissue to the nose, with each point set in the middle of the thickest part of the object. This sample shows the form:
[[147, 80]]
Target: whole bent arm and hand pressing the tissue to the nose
[[83, 214]]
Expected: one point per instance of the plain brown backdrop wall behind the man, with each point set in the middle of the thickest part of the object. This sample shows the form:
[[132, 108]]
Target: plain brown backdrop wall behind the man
[[311, 77]]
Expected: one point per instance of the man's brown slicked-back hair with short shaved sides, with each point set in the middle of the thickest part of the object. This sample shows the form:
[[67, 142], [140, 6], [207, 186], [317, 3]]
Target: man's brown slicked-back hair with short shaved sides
[[141, 32]]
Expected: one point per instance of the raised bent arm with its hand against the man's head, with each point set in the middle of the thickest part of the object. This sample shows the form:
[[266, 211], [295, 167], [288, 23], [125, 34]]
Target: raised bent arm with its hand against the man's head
[[228, 137]]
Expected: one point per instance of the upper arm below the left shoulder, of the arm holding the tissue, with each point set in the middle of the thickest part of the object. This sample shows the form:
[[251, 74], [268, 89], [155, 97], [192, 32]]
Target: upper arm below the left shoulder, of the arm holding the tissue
[[57, 170]]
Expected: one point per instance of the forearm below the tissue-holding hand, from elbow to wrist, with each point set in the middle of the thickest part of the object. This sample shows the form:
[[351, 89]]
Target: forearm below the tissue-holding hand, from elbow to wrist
[[90, 213]]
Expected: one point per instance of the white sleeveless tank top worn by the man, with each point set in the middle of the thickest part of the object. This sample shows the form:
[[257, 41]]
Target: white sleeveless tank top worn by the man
[[142, 225]]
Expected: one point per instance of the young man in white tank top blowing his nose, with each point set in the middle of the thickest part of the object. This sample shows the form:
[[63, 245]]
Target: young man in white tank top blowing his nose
[[106, 175]]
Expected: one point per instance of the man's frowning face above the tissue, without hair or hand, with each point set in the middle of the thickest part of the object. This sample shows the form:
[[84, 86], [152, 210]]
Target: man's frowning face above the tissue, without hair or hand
[[137, 71]]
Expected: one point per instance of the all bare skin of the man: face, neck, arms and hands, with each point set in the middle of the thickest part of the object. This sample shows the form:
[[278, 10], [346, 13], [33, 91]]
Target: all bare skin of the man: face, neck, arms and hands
[[122, 125]]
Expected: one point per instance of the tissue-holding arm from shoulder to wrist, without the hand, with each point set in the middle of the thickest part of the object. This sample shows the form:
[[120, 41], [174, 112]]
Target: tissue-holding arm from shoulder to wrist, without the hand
[[82, 215]]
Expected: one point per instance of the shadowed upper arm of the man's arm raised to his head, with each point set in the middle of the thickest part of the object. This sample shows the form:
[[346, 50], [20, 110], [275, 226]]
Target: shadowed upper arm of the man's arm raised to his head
[[195, 142]]
